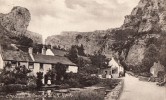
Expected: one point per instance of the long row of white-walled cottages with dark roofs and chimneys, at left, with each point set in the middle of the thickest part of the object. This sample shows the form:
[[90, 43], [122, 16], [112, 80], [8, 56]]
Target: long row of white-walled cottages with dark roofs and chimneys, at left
[[35, 62]]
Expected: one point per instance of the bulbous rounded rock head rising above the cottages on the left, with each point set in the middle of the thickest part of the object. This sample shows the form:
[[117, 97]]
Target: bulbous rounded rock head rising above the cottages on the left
[[17, 20]]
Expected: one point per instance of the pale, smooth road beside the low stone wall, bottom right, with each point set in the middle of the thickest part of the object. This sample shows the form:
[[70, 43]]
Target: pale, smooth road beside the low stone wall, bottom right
[[139, 90]]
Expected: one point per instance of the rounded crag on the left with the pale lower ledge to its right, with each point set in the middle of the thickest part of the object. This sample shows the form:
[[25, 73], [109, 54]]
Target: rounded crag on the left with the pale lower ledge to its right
[[17, 22]]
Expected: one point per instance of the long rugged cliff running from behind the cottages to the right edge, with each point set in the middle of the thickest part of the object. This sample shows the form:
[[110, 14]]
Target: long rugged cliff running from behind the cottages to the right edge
[[147, 20]]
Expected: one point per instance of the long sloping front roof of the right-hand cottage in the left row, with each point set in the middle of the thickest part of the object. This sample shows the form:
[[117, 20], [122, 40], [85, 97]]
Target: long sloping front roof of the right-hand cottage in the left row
[[48, 59]]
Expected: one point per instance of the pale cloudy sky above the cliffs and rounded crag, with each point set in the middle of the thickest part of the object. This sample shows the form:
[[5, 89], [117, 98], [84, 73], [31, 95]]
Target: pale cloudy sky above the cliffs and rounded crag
[[50, 17]]
